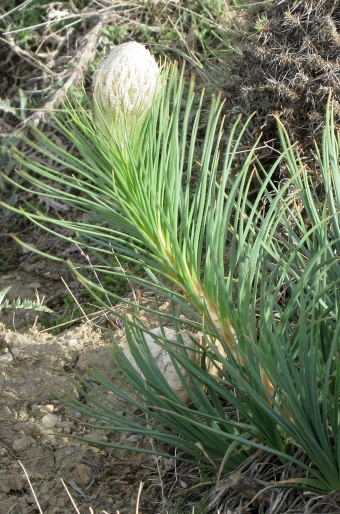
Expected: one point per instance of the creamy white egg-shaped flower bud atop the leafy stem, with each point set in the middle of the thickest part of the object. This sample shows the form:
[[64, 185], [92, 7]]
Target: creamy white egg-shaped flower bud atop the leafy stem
[[124, 88]]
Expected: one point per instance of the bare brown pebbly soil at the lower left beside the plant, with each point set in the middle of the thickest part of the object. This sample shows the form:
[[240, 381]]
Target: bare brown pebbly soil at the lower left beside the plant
[[35, 429]]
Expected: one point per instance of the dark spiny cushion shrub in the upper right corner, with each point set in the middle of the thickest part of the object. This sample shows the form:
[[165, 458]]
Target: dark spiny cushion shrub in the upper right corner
[[288, 67]]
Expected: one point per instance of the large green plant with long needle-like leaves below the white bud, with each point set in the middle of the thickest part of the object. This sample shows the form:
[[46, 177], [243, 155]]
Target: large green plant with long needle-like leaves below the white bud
[[258, 278]]
